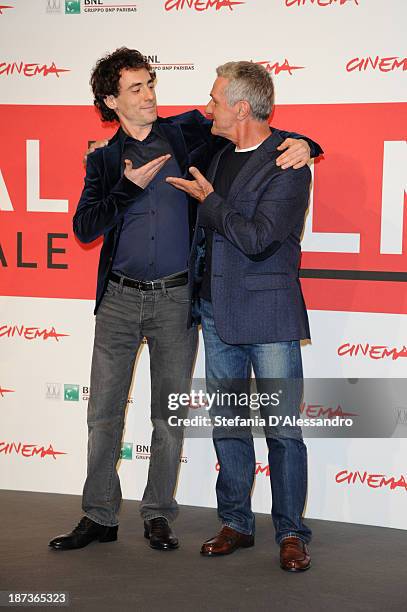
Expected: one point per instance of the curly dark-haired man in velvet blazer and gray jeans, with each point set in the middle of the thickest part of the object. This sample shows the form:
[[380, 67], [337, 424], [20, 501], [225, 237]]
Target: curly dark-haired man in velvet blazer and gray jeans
[[142, 289]]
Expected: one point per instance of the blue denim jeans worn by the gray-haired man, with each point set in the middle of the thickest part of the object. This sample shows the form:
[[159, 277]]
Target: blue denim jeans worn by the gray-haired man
[[228, 365]]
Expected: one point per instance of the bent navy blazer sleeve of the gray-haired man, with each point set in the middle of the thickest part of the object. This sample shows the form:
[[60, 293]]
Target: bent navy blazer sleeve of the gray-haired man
[[279, 211]]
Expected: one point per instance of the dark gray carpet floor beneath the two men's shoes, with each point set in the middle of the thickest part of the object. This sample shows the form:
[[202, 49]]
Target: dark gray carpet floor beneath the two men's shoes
[[355, 568]]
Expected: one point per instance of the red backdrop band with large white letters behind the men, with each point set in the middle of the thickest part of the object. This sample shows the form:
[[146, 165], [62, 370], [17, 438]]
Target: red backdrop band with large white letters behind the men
[[347, 198]]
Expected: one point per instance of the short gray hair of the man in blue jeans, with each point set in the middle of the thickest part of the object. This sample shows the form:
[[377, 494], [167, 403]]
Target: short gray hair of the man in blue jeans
[[250, 82]]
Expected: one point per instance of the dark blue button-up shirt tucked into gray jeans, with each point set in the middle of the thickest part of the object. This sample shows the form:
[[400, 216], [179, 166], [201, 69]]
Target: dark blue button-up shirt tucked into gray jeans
[[154, 239]]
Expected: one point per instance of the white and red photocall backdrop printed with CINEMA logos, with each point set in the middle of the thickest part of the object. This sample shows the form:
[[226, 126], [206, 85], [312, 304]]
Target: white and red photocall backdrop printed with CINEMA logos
[[339, 68]]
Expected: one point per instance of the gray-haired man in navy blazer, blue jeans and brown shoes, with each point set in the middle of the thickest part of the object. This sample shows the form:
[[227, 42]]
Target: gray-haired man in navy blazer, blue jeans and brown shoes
[[253, 314]]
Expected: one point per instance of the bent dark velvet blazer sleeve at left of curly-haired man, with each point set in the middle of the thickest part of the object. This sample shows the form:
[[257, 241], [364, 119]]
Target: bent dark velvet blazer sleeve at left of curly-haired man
[[97, 212]]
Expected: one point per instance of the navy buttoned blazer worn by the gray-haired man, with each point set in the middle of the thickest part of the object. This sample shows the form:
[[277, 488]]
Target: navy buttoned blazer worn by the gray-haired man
[[256, 292]]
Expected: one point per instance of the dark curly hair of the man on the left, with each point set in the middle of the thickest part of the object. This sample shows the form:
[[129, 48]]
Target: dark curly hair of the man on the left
[[105, 76]]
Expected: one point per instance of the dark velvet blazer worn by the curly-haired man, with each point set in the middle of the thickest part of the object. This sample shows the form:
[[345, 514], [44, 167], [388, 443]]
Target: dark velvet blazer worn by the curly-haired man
[[107, 194]]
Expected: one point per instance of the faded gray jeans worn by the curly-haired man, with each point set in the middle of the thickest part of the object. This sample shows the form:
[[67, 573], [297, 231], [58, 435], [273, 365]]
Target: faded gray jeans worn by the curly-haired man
[[125, 316]]
